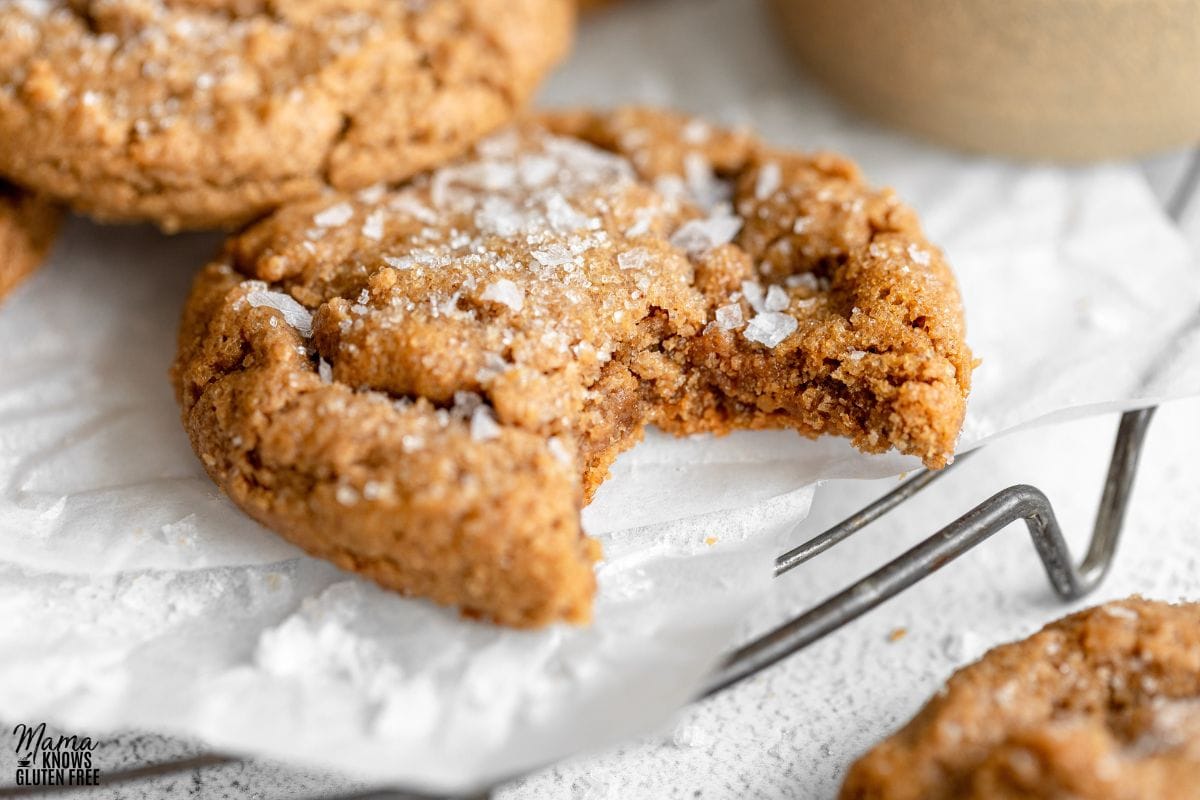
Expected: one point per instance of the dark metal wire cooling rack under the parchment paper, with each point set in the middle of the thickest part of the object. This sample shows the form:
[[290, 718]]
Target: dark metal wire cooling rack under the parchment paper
[[1069, 580]]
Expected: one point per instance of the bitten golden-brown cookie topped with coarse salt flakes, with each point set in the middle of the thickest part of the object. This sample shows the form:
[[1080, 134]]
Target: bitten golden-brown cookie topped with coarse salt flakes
[[427, 384]]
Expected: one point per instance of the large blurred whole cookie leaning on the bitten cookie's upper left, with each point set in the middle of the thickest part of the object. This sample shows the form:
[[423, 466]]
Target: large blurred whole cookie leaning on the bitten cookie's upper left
[[208, 113]]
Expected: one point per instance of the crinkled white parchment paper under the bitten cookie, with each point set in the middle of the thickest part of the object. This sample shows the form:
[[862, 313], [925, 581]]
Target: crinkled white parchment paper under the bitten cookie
[[134, 596]]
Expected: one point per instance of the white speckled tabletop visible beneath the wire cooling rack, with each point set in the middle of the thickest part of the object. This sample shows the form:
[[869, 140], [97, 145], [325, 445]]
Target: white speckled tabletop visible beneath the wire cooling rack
[[791, 732]]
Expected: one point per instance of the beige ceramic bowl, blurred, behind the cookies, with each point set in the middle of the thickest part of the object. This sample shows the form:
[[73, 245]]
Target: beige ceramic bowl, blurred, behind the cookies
[[1072, 80]]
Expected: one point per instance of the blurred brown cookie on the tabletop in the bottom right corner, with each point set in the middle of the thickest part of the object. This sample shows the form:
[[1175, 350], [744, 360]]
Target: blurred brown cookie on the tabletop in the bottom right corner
[[1101, 705]]
